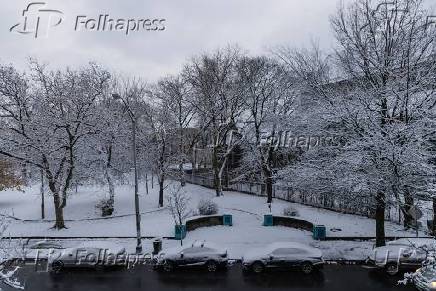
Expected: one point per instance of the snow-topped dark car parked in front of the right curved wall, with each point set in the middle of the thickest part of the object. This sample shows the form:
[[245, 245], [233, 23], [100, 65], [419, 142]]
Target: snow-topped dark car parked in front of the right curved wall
[[286, 255]]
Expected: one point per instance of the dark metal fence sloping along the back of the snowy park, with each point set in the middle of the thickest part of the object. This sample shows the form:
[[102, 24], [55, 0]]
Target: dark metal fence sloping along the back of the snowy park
[[358, 205]]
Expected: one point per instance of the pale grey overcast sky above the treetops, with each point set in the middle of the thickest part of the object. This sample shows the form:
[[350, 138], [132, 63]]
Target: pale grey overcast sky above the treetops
[[192, 27]]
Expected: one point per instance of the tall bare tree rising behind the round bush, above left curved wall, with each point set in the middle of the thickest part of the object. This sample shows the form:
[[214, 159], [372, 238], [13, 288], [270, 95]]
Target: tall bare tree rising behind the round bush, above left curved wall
[[218, 103]]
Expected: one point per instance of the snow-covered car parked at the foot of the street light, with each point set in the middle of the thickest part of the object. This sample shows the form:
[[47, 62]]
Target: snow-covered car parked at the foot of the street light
[[90, 254]]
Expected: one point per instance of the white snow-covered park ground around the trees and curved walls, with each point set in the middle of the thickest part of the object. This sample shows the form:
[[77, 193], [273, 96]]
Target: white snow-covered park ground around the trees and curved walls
[[247, 230]]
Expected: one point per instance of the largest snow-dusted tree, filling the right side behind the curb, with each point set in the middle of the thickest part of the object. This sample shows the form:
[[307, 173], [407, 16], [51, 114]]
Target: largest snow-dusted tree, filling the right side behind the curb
[[382, 106]]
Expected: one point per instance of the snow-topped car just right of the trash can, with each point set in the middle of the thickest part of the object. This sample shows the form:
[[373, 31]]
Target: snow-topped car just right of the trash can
[[196, 254]]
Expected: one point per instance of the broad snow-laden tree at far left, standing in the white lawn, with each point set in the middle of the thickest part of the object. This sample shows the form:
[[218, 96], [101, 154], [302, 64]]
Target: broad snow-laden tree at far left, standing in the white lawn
[[45, 126]]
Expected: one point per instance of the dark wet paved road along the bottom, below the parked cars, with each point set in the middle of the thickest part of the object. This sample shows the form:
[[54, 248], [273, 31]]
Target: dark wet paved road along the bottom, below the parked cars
[[337, 278]]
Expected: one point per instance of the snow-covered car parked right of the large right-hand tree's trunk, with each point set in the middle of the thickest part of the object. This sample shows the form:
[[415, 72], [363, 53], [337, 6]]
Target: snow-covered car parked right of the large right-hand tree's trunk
[[403, 254]]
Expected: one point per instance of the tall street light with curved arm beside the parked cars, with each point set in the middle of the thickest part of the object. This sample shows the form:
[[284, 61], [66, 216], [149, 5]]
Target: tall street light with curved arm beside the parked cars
[[137, 213]]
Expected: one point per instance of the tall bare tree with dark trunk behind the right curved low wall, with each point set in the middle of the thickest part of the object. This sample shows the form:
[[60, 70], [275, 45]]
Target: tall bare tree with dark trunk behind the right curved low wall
[[269, 101]]
